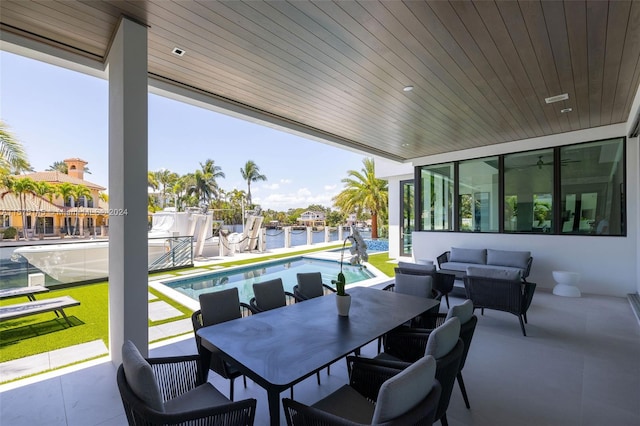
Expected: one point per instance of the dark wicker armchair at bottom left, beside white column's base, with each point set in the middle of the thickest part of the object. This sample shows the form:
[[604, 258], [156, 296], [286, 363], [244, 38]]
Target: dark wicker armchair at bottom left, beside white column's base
[[172, 391]]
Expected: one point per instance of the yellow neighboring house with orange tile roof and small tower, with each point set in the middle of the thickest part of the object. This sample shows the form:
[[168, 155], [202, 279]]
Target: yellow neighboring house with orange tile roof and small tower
[[44, 217]]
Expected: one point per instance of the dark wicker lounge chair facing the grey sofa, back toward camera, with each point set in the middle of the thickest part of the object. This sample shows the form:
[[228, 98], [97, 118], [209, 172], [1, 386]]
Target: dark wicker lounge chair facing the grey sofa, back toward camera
[[507, 295]]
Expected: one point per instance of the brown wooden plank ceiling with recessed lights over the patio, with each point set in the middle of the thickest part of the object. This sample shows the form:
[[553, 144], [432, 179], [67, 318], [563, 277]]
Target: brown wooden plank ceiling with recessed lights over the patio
[[480, 70]]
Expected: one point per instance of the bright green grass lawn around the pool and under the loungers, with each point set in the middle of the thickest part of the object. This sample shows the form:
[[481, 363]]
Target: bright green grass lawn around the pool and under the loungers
[[45, 332]]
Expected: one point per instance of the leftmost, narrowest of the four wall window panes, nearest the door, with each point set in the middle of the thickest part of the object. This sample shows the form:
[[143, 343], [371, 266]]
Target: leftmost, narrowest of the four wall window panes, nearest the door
[[437, 197]]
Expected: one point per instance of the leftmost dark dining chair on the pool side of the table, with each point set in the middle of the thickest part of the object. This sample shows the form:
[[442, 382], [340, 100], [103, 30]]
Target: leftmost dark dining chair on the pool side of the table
[[219, 306]]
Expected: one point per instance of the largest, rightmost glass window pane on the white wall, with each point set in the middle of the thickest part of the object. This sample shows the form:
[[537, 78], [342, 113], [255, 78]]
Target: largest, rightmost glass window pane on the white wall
[[592, 188]]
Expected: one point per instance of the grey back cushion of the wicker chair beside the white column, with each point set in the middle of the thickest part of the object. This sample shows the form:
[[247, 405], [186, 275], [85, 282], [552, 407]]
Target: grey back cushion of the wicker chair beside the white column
[[140, 376]]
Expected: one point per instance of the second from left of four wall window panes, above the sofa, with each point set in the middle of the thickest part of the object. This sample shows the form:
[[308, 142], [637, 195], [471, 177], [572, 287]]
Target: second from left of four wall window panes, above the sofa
[[478, 195]]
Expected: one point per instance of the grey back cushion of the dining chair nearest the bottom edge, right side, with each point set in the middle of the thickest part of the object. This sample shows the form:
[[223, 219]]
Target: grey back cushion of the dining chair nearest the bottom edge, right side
[[399, 394]]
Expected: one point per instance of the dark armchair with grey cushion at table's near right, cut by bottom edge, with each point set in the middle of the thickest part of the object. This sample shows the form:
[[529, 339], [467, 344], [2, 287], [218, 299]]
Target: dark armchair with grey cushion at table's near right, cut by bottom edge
[[392, 394]]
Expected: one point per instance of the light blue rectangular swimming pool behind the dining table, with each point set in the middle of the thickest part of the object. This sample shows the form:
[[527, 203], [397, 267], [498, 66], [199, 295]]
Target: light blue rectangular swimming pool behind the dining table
[[244, 278]]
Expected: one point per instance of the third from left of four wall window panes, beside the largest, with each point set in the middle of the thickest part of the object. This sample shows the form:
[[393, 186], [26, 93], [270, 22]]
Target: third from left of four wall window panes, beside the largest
[[528, 191]]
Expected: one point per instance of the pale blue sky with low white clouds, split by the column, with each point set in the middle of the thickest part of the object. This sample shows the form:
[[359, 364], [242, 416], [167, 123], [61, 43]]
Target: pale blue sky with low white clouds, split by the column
[[57, 113]]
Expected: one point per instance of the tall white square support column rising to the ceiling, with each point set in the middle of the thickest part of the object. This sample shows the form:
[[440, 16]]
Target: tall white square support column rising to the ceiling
[[128, 247]]
